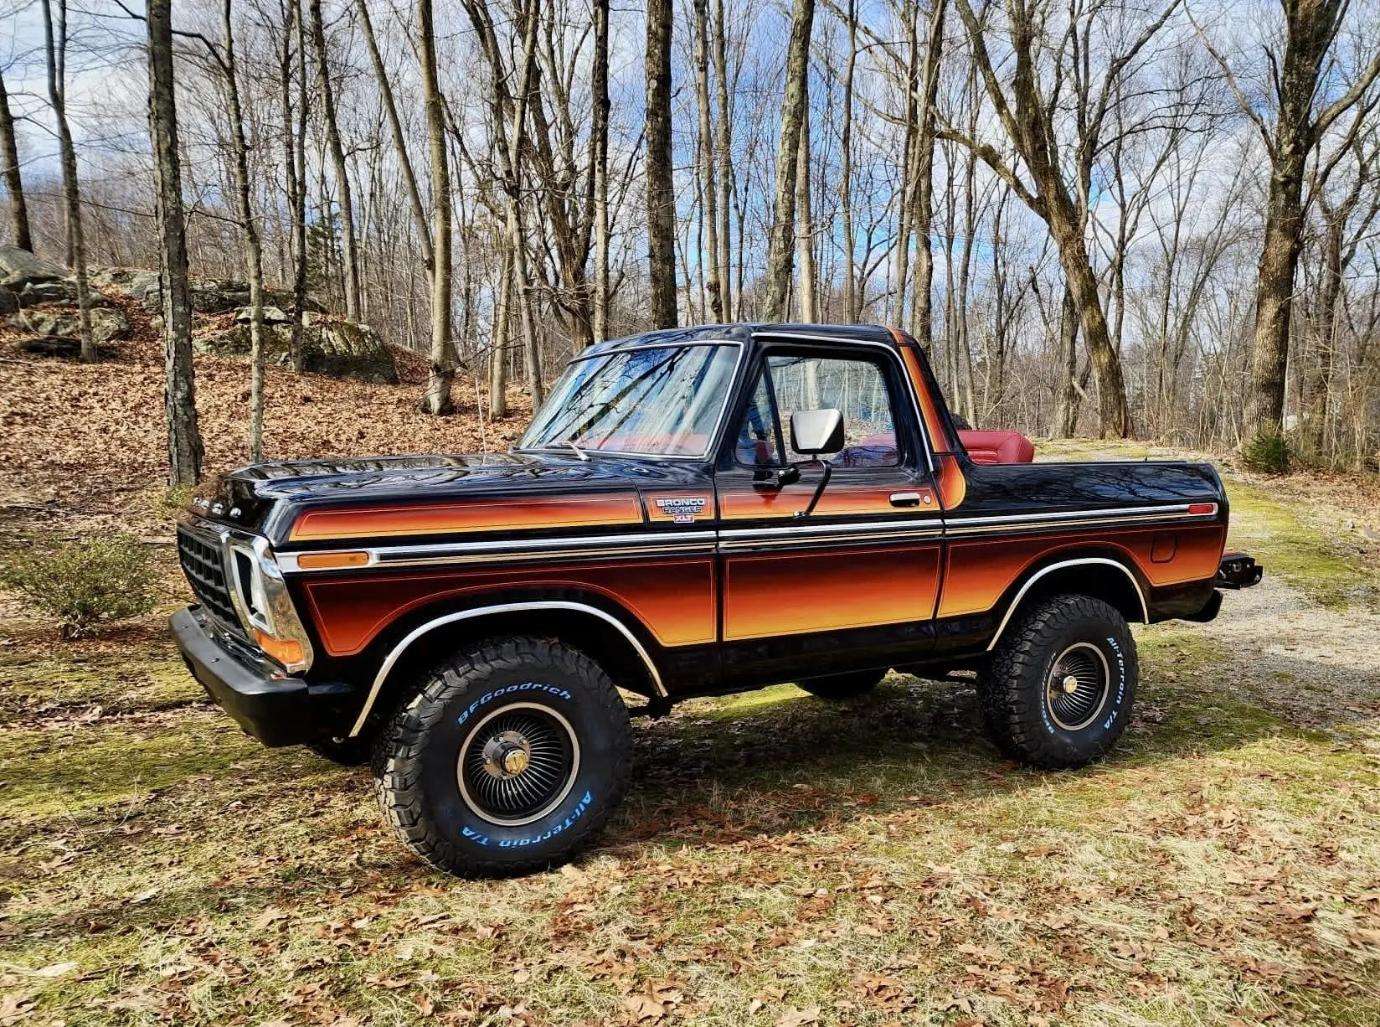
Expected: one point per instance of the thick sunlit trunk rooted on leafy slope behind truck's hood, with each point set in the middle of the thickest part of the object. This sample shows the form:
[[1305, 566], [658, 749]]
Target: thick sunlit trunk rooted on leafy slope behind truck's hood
[[442, 350]]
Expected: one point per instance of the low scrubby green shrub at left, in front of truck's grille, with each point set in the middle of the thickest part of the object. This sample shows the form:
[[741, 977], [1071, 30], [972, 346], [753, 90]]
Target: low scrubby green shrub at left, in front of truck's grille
[[85, 583]]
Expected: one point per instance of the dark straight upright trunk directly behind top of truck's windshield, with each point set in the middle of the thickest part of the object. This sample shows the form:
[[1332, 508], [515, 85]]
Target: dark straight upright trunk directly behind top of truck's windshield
[[662, 195]]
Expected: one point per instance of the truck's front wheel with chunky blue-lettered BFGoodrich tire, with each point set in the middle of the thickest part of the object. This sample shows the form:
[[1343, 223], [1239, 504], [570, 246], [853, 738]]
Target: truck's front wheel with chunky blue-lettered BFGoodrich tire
[[507, 760]]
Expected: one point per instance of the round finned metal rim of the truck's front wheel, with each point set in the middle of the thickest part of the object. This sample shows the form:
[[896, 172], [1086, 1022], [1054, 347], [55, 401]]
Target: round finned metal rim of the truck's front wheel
[[518, 764]]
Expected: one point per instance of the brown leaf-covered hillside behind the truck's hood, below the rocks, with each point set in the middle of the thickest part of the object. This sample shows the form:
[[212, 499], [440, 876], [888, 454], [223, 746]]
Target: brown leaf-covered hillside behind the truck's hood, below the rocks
[[89, 441]]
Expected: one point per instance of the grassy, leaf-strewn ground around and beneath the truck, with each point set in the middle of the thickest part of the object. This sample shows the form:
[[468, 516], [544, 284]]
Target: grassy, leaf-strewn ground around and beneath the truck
[[779, 861]]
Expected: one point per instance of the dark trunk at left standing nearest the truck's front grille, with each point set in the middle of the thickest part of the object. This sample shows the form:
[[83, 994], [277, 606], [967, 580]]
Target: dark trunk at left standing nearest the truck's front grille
[[180, 383]]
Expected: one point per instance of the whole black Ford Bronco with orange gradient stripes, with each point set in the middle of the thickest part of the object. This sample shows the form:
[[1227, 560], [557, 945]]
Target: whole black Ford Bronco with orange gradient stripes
[[691, 513]]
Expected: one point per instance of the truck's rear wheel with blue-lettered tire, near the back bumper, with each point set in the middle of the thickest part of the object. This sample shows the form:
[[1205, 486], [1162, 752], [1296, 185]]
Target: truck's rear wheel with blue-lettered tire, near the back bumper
[[1062, 683]]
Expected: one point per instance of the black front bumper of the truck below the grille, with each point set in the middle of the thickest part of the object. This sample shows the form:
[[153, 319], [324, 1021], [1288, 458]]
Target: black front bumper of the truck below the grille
[[278, 712]]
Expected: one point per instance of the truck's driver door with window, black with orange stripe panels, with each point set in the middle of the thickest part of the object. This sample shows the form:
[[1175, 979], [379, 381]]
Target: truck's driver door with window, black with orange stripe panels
[[859, 578]]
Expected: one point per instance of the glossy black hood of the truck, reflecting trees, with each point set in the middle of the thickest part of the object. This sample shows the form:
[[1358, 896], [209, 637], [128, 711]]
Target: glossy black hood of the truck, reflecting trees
[[267, 498]]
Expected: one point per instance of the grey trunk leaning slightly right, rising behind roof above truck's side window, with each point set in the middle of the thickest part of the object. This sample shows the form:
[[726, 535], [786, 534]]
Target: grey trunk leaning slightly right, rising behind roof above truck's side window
[[782, 244]]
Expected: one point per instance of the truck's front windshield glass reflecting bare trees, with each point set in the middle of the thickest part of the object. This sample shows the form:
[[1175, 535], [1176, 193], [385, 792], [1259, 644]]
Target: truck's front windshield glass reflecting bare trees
[[658, 401]]
